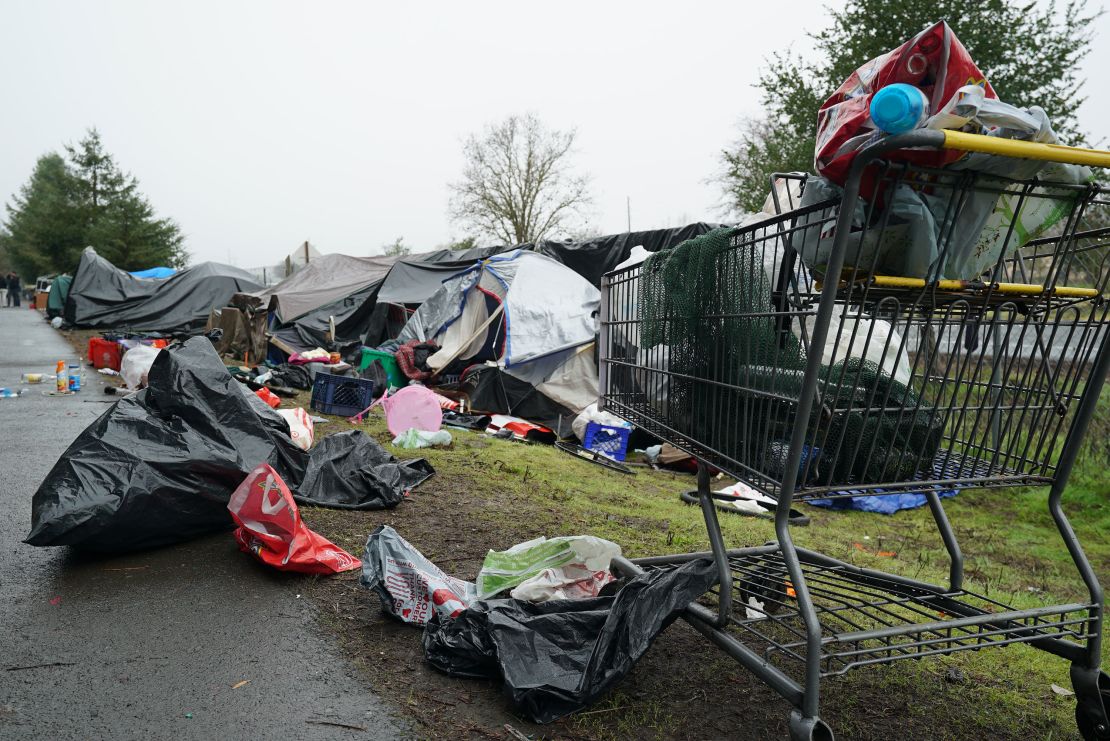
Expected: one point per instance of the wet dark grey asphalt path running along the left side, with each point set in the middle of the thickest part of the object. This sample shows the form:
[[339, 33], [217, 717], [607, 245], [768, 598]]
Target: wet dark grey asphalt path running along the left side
[[148, 645]]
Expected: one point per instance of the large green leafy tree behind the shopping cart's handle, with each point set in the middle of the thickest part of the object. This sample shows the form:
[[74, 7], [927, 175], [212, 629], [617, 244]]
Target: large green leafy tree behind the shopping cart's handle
[[1030, 52]]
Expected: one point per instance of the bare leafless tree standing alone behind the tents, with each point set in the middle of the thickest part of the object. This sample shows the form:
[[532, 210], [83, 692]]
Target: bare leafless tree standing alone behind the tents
[[517, 185]]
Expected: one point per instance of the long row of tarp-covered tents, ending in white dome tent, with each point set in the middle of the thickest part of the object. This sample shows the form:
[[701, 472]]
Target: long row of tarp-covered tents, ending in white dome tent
[[517, 324]]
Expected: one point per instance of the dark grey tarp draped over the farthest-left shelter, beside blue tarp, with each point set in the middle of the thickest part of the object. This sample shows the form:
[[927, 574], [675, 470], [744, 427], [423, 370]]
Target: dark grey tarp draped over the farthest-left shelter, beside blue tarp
[[104, 297]]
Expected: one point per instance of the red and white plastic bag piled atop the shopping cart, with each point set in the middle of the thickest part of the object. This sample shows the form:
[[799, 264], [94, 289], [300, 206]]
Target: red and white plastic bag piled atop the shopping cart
[[934, 62]]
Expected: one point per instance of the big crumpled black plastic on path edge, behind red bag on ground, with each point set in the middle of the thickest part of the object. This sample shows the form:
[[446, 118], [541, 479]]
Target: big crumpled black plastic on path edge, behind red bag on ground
[[160, 466]]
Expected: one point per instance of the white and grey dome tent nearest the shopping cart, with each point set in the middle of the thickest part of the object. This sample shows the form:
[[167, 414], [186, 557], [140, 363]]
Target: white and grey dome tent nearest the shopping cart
[[521, 328]]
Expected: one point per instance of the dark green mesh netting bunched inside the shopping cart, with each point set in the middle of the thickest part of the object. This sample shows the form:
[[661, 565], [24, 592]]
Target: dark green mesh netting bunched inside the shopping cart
[[736, 371]]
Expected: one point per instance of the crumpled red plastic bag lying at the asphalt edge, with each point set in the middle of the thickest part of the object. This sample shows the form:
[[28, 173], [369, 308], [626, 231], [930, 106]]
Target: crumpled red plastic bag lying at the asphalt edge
[[270, 527]]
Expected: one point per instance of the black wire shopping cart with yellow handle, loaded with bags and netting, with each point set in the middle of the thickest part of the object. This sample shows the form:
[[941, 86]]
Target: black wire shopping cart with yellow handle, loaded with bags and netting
[[834, 380]]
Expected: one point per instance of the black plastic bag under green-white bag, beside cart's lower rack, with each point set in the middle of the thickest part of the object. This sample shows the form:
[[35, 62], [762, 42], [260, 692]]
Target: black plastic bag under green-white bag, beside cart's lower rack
[[559, 657]]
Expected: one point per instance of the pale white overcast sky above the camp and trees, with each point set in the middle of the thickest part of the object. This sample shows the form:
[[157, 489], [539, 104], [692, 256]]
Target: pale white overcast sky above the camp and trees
[[258, 126]]
